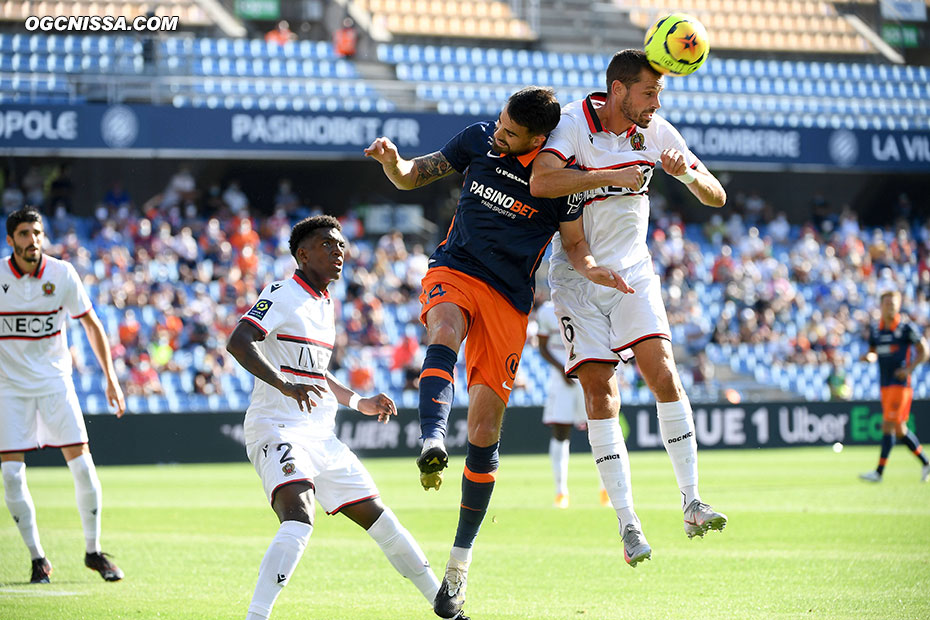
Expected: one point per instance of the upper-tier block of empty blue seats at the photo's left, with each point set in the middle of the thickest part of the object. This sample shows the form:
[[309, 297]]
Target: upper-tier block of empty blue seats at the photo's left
[[199, 72]]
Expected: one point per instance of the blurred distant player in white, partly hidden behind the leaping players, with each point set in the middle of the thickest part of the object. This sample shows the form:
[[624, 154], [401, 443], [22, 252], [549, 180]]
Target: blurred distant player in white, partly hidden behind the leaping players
[[564, 406]]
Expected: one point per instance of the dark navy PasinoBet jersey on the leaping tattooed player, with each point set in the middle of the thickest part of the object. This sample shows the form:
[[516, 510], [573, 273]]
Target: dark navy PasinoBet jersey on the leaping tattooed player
[[500, 231]]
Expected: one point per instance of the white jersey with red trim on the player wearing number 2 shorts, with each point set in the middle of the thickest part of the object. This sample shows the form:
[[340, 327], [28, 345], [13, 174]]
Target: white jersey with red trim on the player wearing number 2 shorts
[[298, 323]]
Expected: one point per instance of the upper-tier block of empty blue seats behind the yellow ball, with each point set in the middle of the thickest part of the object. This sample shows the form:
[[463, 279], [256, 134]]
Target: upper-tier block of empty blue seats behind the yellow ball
[[738, 91]]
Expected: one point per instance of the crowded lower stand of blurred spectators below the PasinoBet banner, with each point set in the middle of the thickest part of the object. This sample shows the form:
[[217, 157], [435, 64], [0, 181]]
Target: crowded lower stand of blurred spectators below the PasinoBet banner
[[738, 291]]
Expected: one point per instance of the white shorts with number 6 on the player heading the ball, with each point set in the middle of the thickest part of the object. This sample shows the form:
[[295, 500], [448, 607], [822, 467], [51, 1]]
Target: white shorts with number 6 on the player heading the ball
[[602, 324]]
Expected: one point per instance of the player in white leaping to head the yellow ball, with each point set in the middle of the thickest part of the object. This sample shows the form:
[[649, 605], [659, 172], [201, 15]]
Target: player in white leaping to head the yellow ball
[[615, 139]]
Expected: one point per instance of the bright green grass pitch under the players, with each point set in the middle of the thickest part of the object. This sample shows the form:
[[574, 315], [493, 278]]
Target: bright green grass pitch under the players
[[806, 539]]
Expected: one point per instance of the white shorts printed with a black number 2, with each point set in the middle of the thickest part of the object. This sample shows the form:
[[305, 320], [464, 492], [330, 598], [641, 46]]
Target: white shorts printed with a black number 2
[[285, 455]]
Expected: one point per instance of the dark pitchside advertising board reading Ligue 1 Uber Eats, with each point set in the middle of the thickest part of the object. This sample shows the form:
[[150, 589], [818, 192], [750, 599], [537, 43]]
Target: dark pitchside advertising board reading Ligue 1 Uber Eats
[[218, 437]]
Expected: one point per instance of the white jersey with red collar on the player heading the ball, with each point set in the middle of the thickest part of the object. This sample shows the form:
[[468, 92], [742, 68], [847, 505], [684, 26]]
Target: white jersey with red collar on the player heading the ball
[[616, 219]]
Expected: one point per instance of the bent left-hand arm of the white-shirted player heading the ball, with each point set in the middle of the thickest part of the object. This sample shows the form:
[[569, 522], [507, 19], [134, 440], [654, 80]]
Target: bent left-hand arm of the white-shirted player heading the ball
[[551, 179]]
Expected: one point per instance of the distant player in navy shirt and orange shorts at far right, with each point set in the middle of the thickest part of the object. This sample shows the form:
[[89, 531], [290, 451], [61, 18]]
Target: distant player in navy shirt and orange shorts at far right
[[898, 347]]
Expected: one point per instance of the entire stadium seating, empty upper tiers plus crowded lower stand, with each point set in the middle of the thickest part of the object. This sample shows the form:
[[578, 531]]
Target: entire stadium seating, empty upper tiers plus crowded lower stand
[[741, 299]]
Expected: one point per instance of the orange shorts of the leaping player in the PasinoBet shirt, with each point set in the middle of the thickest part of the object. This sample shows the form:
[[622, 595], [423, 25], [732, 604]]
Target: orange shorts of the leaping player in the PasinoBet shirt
[[496, 331]]
